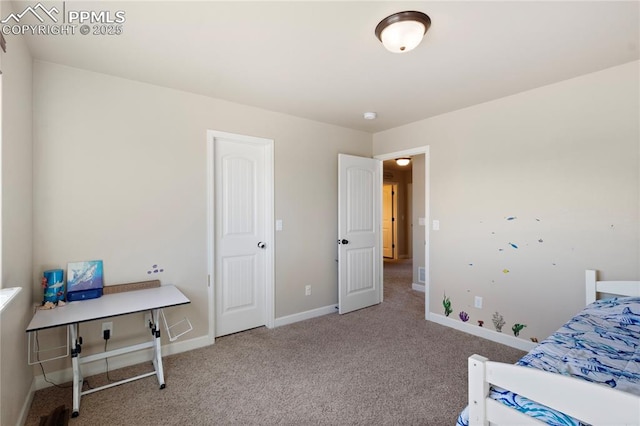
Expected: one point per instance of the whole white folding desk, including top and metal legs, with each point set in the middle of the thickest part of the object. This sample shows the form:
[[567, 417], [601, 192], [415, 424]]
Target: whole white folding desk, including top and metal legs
[[110, 305]]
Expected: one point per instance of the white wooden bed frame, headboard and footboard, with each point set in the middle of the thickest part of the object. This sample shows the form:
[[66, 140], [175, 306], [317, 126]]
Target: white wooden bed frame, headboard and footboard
[[588, 402]]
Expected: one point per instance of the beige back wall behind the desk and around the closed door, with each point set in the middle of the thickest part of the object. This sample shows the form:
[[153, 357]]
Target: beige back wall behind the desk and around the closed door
[[120, 175]]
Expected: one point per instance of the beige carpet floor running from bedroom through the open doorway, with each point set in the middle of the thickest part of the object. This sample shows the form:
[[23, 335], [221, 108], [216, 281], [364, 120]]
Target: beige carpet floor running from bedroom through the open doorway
[[382, 365]]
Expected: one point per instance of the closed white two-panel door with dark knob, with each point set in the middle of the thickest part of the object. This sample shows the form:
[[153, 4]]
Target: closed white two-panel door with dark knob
[[241, 245]]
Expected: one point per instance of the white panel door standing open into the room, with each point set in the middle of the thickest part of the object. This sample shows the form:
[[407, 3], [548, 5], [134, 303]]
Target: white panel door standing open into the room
[[359, 232]]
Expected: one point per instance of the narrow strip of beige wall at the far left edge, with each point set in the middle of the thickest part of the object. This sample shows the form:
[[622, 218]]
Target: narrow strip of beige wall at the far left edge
[[15, 376]]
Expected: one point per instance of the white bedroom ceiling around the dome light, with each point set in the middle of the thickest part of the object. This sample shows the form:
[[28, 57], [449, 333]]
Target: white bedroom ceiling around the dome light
[[321, 60]]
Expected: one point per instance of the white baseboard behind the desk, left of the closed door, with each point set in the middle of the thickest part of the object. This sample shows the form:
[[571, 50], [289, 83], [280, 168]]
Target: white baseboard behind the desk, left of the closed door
[[126, 360]]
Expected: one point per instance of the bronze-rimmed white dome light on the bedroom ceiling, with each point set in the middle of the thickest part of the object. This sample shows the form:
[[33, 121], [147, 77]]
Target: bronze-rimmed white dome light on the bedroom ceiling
[[403, 31]]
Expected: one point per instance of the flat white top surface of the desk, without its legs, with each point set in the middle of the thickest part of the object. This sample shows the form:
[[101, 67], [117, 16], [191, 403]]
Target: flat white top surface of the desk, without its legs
[[109, 305]]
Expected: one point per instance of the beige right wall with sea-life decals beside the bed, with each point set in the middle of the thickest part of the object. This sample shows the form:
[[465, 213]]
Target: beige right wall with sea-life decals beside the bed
[[563, 159]]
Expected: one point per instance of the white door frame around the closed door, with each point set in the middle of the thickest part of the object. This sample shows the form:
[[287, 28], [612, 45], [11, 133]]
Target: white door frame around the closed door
[[269, 212]]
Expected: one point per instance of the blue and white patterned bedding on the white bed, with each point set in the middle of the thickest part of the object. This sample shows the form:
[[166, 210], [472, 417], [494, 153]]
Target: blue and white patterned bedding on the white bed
[[601, 344]]
